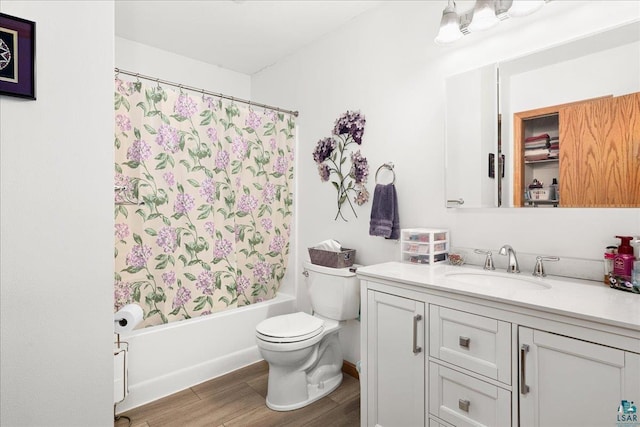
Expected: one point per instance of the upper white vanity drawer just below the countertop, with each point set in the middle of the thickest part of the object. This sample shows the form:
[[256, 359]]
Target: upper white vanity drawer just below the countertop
[[480, 344]]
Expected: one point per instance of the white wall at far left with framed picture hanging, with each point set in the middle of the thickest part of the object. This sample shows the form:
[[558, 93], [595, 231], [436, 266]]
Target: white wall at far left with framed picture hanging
[[56, 218]]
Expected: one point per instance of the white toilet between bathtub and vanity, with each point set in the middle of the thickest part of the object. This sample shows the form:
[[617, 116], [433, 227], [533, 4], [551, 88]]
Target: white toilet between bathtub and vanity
[[303, 351]]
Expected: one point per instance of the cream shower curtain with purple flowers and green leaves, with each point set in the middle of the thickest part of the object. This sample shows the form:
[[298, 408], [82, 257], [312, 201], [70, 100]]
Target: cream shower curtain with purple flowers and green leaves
[[203, 202]]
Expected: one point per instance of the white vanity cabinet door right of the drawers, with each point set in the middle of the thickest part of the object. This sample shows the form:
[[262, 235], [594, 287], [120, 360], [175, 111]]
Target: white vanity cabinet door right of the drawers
[[567, 382]]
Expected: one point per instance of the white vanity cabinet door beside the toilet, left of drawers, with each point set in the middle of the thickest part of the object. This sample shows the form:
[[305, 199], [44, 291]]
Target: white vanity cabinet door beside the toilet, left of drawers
[[395, 361]]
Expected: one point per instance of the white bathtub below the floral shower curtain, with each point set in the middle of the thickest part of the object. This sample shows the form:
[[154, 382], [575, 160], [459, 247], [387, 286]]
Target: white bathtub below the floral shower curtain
[[165, 359]]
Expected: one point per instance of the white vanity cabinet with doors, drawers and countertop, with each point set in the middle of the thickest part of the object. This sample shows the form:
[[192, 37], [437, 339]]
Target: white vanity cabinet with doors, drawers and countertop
[[436, 354]]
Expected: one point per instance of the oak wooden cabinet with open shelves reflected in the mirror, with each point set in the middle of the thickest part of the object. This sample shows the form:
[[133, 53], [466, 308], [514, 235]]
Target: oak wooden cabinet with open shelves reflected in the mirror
[[598, 164]]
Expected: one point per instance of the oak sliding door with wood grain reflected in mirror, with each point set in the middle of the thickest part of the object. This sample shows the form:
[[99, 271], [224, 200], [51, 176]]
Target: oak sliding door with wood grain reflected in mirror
[[600, 153]]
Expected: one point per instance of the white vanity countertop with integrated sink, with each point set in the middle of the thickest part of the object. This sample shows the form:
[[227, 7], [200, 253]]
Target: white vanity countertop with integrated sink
[[578, 298]]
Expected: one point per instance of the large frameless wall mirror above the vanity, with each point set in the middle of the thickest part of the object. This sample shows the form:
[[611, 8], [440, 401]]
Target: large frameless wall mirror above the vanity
[[557, 128]]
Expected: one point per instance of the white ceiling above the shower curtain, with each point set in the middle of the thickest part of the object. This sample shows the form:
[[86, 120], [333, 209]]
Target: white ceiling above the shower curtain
[[243, 36]]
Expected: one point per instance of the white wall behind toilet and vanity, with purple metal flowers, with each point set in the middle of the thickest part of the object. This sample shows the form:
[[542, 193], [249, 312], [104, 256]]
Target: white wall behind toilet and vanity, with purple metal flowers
[[386, 64]]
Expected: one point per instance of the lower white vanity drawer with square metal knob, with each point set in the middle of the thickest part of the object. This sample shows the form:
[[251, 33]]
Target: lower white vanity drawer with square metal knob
[[466, 401]]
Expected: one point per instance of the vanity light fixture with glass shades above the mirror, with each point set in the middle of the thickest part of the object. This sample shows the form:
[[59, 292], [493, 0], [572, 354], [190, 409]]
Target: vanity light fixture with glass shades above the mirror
[[484, 15]]
